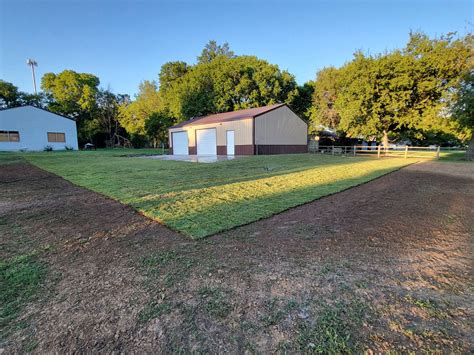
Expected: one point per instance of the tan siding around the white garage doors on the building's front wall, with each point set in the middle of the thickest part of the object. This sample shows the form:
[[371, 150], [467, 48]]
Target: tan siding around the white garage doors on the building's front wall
[[243, 132]]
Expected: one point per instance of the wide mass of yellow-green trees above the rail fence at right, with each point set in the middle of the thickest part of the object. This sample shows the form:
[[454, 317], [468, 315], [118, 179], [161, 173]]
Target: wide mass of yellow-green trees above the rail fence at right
[[403, 92]]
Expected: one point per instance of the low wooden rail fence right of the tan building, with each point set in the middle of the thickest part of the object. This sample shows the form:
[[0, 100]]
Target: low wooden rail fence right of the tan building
[[380, 151]]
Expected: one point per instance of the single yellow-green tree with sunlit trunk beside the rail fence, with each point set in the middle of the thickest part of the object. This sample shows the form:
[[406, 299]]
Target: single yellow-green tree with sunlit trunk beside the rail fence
[[373, 93]]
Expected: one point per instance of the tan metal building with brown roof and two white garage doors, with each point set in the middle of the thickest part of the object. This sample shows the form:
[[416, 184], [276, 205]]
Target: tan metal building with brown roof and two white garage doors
[[274, 129]]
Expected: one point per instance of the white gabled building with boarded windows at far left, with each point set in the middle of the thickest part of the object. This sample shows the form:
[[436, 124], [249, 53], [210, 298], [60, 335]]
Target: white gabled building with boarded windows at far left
[[33, 128]]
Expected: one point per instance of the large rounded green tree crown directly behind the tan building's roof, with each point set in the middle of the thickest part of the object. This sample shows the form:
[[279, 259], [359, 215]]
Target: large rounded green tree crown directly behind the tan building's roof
[[227, 84]]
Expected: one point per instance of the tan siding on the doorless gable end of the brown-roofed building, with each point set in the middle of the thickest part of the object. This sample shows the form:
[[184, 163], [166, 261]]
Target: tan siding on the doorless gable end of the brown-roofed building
[[280, 127]]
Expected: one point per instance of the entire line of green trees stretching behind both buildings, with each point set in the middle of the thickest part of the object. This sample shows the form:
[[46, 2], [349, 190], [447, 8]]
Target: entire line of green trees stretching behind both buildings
[[423, 91]]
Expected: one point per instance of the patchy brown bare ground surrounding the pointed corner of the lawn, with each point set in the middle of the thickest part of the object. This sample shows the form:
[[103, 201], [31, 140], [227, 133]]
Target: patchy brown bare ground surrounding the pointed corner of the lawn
[[386, 265]]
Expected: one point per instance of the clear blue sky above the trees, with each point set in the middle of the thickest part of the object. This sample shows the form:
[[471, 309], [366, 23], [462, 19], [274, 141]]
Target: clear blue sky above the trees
[[125, 42]]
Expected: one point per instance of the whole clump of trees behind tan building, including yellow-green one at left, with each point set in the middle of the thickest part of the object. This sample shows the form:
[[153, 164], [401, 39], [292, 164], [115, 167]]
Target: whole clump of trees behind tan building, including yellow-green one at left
[[219, 82]]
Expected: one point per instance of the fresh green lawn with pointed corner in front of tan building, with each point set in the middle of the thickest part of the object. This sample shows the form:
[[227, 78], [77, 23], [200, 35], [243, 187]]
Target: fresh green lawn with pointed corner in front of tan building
[[203, 199]]
